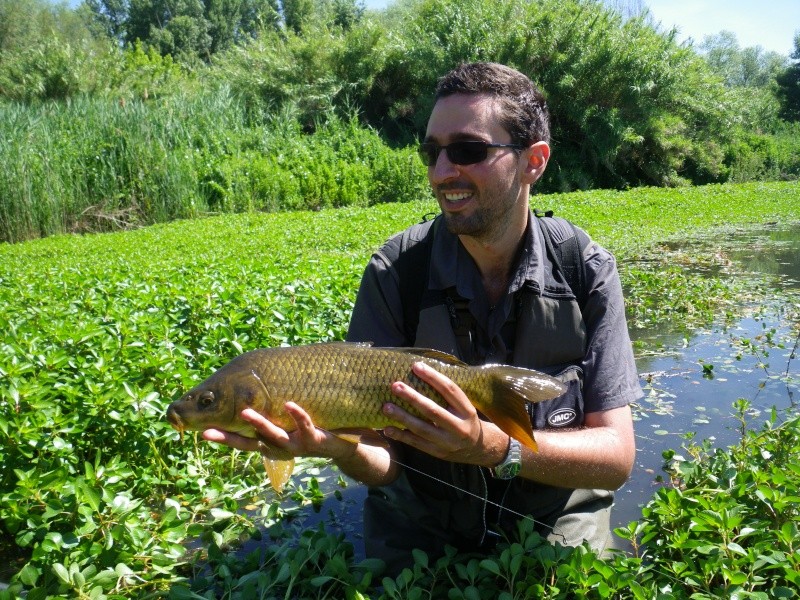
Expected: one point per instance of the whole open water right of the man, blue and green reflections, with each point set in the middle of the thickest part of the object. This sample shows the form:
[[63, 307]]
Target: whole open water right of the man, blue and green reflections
[[692, 383]]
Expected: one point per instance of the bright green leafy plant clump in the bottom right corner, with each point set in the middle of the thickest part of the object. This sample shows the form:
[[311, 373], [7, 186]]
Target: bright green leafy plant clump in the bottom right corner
[[729, 523]]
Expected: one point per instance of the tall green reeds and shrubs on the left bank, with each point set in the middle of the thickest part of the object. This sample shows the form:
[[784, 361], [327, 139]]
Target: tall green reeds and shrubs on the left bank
[[99, 164]]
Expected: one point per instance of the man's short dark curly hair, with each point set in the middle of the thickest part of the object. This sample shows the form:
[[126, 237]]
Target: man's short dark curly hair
[[522, 105]]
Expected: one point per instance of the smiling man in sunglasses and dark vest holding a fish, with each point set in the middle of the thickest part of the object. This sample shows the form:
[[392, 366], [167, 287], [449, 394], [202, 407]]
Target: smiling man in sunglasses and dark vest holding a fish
[[491, 294]]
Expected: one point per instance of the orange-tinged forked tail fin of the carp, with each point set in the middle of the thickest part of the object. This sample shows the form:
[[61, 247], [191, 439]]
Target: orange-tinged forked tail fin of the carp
[[511, 388]]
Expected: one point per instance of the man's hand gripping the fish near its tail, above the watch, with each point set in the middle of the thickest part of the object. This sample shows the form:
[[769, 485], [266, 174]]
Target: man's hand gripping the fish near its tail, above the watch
[[454, 433]]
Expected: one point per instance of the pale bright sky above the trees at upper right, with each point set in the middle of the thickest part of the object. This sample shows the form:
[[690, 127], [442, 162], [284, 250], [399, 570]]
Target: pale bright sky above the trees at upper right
[[771, 24]]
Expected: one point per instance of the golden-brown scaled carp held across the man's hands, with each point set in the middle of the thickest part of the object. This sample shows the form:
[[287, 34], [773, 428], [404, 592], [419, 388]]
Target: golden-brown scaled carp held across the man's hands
[[343, 387]]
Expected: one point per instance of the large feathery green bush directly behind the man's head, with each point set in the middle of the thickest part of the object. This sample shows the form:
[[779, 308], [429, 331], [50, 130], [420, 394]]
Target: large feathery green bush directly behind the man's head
[[629, 106]]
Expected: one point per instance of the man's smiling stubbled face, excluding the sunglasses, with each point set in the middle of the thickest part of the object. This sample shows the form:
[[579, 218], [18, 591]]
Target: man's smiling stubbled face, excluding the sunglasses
[[478, 200]]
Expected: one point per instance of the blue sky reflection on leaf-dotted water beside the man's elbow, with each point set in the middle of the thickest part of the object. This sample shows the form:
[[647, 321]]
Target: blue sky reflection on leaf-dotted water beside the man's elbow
[[692, 389]]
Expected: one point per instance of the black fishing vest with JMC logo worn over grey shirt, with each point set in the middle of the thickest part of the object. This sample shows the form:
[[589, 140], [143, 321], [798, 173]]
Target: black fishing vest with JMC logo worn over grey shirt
[[549, 335]]
